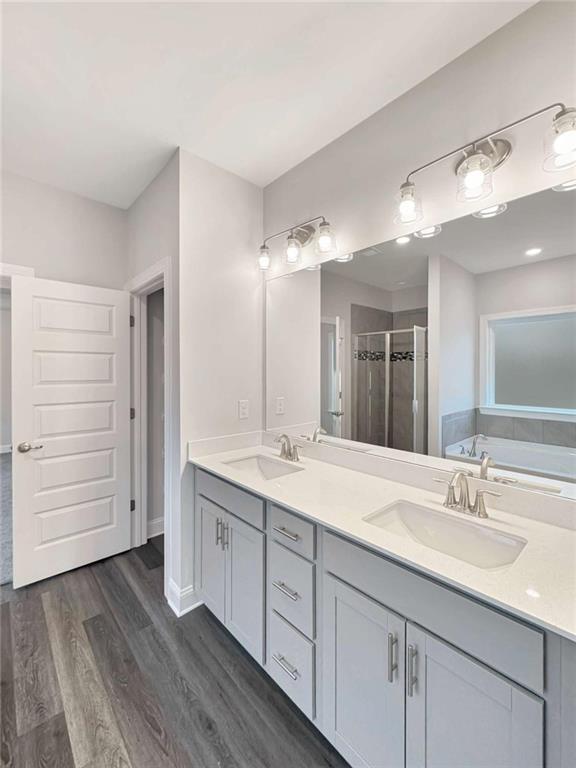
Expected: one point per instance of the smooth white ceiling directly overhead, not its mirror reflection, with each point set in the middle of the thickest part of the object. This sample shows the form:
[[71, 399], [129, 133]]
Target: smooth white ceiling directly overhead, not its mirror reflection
[[96, 96]]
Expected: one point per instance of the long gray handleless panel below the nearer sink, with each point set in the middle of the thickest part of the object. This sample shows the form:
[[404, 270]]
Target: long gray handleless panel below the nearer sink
[[507, 645]]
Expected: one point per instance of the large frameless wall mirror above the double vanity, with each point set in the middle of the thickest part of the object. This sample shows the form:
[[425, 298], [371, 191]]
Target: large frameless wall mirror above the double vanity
[[458, 341]]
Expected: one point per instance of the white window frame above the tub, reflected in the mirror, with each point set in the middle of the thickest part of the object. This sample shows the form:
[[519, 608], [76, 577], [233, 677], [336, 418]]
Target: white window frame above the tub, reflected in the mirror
[[486, 390]]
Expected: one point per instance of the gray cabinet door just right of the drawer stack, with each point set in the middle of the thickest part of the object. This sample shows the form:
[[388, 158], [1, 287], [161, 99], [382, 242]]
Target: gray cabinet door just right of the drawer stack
[[363, 678]]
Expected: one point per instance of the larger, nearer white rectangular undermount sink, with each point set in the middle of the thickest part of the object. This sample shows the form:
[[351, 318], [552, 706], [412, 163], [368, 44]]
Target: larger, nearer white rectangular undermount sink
[[463, 539]]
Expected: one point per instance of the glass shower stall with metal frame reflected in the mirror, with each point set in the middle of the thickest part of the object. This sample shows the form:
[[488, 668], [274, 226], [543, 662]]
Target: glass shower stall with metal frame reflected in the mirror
[[390, 388]]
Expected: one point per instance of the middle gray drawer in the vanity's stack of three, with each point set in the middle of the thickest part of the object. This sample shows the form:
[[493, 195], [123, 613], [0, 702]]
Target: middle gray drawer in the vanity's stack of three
[[292, 591]]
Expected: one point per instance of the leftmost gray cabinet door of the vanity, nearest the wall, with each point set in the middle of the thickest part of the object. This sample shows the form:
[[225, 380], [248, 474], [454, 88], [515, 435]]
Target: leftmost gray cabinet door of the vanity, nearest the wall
[[212, 569]]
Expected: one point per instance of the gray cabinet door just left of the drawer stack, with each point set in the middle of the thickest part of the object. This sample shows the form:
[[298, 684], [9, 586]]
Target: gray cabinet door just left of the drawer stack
[[245, 585]]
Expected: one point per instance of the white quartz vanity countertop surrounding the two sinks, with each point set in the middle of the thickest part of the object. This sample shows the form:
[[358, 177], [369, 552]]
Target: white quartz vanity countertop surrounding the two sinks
[[540, 586]]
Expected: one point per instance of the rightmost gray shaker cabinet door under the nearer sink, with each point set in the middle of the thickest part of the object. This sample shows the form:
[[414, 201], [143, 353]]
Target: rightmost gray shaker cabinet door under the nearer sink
[[460, 713]]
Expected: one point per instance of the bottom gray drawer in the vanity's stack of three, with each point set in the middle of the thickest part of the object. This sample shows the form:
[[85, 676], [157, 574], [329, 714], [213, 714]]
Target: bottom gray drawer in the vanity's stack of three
[[291, 663]]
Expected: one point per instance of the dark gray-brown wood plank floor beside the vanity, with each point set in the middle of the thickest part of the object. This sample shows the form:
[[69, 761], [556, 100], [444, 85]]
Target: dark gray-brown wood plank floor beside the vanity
[[97, 672]]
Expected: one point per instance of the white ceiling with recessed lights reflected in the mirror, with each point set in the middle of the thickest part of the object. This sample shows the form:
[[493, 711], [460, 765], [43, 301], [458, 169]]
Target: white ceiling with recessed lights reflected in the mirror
[[546, 220]]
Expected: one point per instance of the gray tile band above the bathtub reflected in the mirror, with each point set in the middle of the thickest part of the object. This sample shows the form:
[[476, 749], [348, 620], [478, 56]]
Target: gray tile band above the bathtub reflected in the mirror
[[462, 424]]
